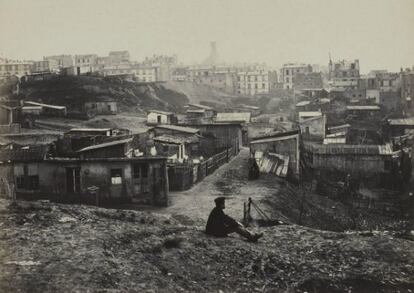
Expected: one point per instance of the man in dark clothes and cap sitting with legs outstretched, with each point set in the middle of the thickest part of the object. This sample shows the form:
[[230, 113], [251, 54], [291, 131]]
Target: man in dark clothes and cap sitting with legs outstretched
[[220, 225]]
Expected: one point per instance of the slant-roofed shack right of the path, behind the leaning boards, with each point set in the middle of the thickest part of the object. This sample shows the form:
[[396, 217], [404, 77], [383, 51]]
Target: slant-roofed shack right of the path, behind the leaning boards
[[281, 143]]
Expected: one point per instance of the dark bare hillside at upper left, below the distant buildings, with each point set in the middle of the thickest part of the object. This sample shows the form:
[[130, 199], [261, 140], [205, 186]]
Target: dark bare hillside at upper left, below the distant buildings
[[74, 91]]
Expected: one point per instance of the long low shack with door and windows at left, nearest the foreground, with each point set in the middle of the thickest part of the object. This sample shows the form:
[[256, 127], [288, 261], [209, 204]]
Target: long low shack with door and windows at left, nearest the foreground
[[106, 168]]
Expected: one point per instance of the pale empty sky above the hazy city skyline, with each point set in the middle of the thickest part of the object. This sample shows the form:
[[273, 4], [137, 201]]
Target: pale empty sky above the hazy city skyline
[[380, 33]]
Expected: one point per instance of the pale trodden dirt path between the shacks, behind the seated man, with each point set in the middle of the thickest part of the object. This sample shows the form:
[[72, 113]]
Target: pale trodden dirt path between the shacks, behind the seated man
[[230, 180]]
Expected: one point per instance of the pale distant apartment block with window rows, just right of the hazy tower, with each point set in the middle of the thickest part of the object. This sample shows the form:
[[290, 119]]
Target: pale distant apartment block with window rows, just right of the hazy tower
[[253, 82]]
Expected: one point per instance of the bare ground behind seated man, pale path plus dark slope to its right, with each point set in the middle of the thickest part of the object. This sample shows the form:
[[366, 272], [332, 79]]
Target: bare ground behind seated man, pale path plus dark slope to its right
[[276, 197]]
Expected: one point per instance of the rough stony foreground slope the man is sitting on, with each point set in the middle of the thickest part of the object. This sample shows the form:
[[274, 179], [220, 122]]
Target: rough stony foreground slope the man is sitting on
[[47, 247]]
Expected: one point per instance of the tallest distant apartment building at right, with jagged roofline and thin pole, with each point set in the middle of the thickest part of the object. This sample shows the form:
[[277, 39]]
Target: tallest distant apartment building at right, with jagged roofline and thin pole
[[344, 74]]
